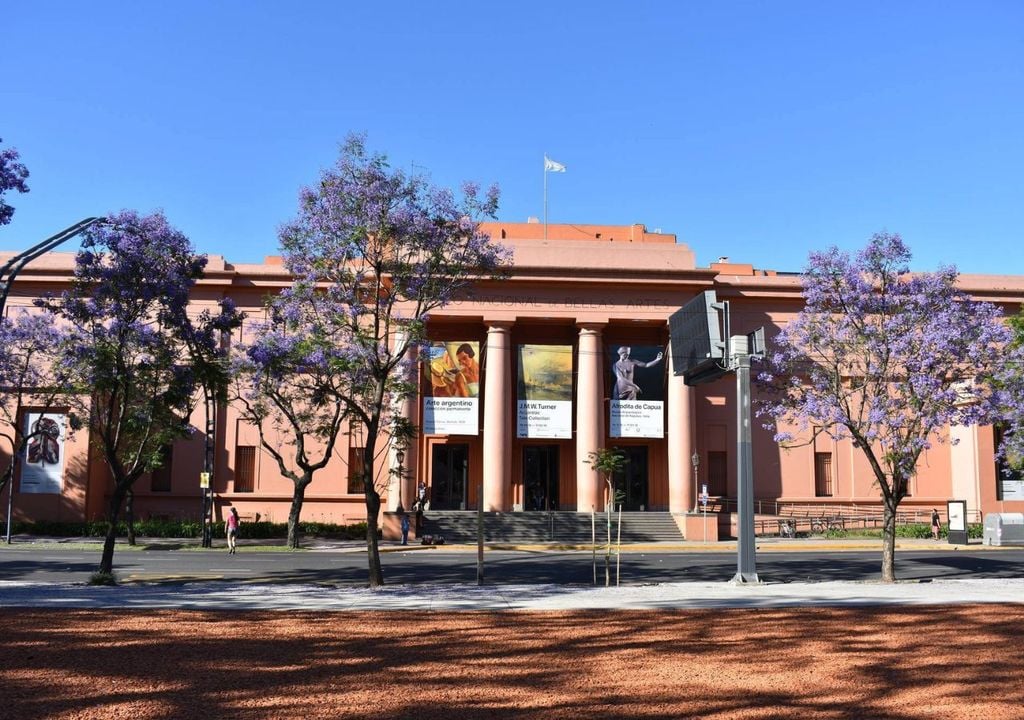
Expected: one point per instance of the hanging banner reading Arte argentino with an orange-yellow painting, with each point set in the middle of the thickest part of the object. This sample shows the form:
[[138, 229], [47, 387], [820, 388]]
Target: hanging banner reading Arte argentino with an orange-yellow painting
[[451, 405]]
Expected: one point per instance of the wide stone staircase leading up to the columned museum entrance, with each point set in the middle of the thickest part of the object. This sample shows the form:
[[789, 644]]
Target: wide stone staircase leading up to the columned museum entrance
[[559, 528]]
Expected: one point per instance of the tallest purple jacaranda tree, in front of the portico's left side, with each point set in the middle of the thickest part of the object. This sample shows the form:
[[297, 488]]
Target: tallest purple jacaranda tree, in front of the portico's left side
[[373, 252]]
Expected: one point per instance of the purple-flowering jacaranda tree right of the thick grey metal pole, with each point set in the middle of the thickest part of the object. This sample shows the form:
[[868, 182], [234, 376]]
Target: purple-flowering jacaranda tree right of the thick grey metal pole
[[889, 360]]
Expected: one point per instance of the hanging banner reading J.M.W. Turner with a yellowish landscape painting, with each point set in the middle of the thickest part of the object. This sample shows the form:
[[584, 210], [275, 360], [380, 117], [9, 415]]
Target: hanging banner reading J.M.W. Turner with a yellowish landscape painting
[[544, 392]]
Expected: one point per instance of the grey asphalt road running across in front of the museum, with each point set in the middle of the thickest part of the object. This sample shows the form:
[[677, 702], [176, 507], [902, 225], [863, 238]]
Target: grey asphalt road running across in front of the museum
[[60, 566]]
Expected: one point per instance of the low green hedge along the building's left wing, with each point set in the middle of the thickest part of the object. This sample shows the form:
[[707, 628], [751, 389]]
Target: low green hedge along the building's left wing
[[188, 529]]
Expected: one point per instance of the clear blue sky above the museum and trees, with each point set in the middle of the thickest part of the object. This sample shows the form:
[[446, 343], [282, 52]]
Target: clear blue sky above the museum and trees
[[757, 131]]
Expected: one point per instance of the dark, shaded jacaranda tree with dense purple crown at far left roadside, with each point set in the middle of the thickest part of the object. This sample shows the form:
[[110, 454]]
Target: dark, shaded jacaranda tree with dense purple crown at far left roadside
[[135, 356]]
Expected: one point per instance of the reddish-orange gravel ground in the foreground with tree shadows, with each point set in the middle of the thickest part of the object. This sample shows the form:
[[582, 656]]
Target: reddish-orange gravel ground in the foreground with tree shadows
[[935, 662]]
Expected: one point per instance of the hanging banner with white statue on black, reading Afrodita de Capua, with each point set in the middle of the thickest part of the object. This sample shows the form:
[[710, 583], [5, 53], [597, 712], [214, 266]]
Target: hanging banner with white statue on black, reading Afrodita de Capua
[[637, 405]]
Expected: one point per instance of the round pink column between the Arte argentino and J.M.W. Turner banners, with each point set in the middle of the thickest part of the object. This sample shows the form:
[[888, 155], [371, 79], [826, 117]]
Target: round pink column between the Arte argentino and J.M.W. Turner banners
[[497, 411]]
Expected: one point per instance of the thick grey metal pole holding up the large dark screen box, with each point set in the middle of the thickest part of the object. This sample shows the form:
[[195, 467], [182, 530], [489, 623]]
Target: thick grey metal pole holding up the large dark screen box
[[746, 560]]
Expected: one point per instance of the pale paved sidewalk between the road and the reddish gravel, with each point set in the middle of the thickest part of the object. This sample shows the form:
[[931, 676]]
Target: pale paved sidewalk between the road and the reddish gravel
[[222, 597]]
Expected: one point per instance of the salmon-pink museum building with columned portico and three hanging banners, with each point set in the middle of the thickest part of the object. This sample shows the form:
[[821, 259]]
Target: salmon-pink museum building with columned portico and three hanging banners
[[524, 379]]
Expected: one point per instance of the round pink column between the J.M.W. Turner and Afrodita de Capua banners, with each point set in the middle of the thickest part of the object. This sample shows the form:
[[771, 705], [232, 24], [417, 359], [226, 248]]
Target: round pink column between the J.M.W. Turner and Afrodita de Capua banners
[[590, 416]]
